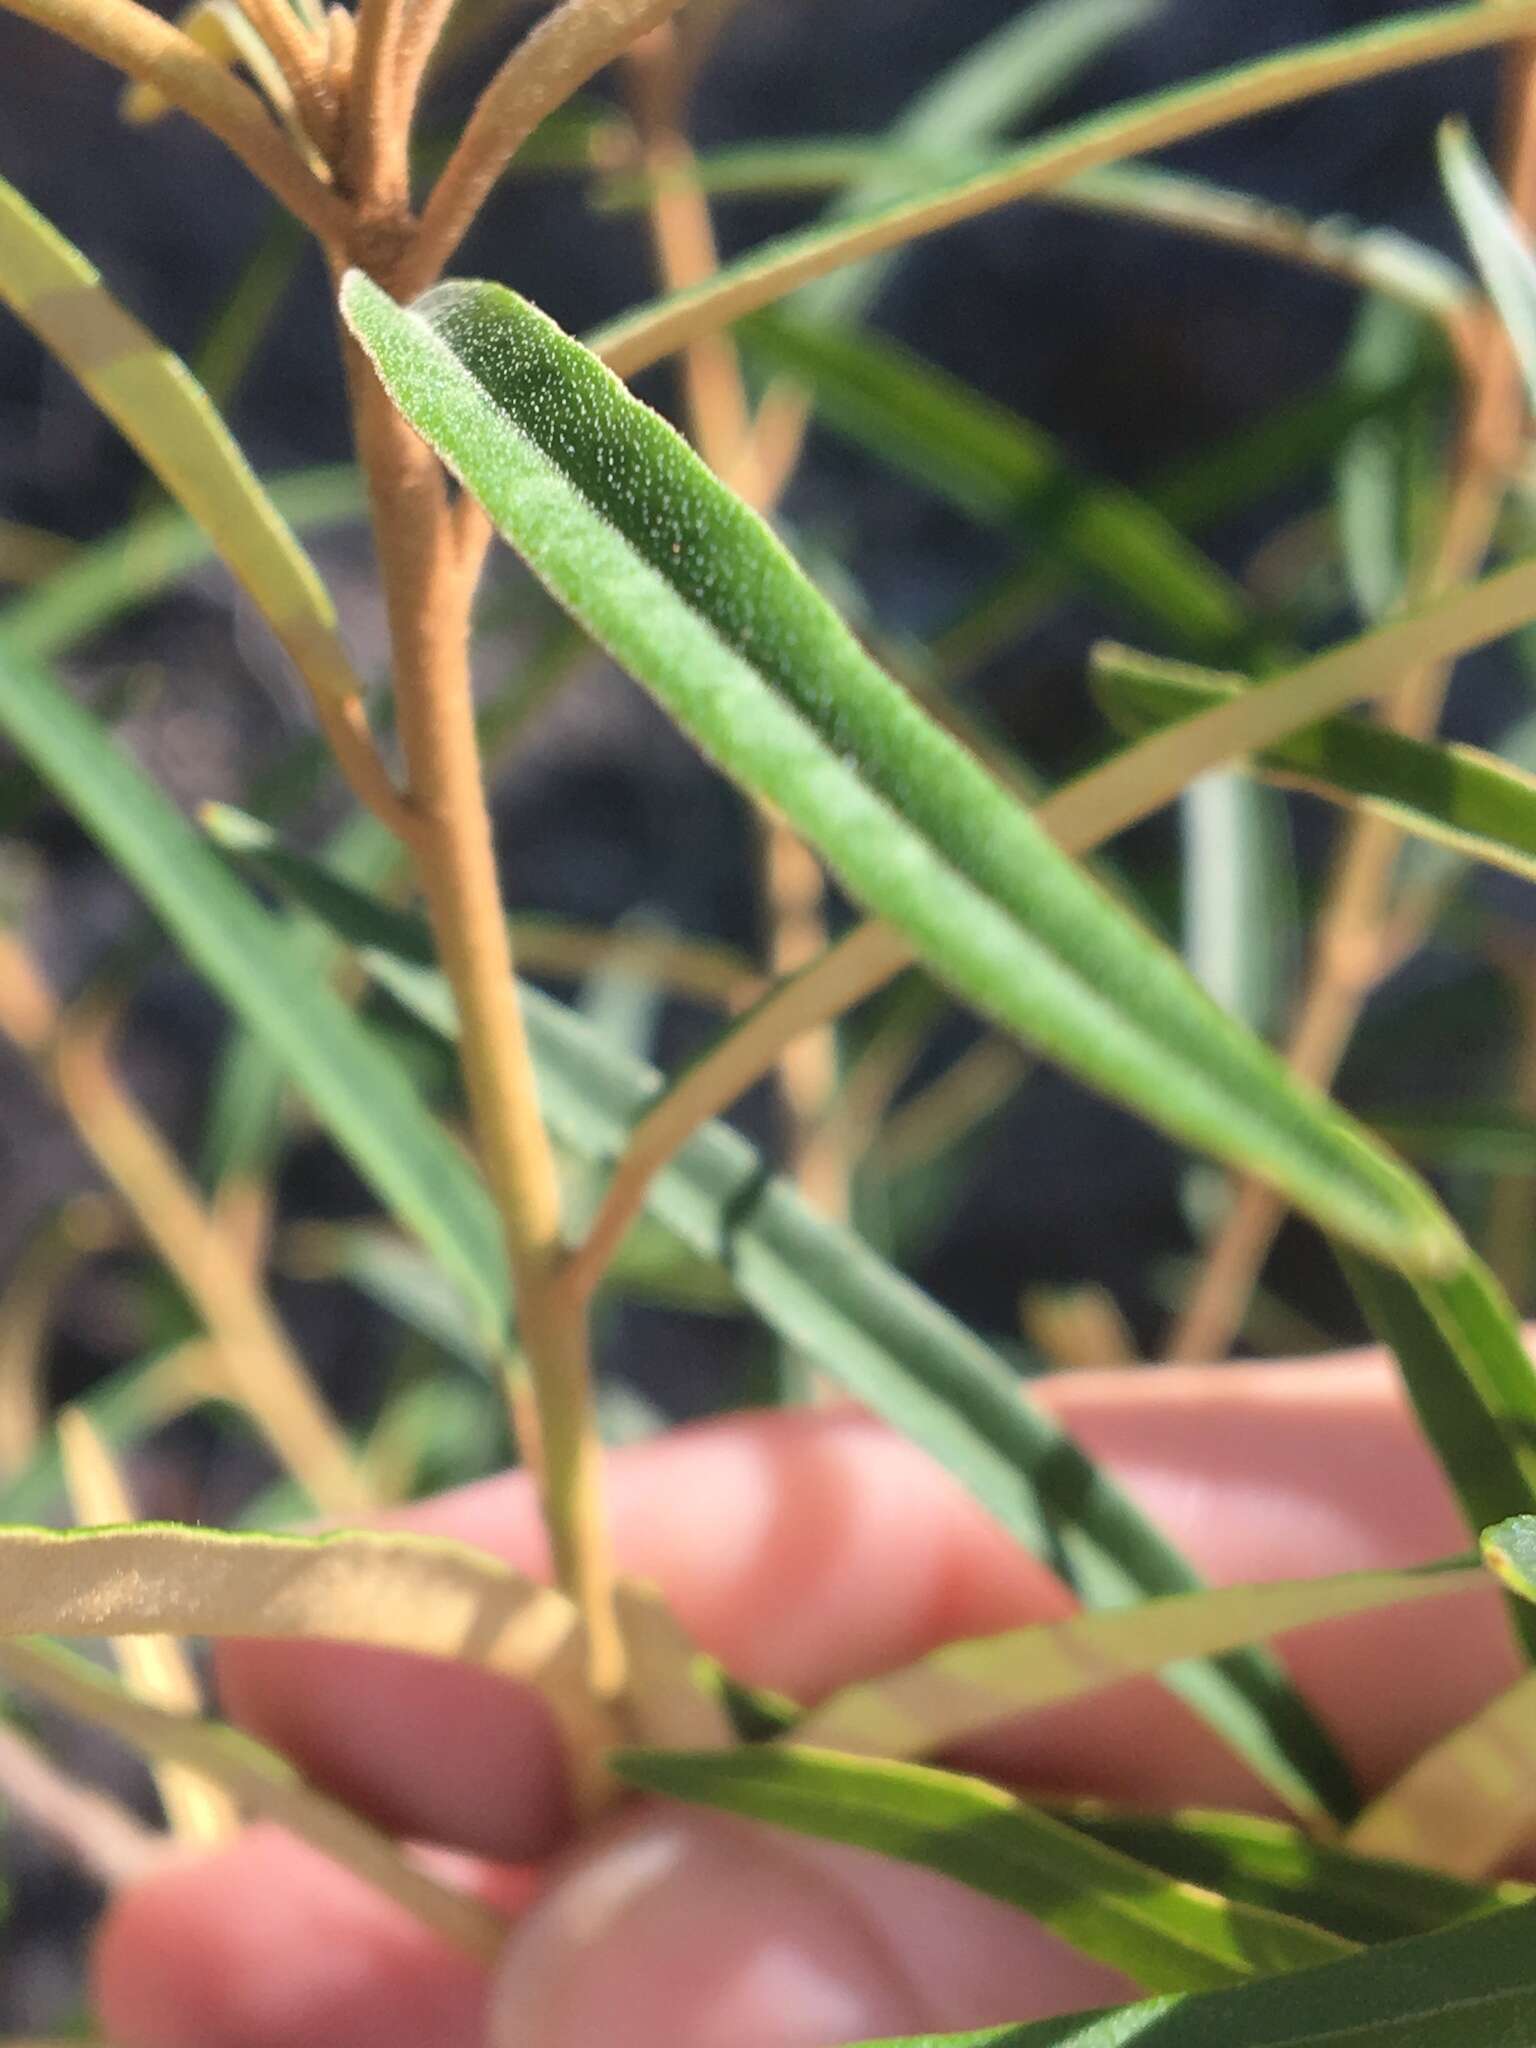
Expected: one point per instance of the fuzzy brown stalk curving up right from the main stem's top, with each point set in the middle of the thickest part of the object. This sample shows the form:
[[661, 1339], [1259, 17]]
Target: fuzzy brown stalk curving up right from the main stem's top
[[550, 65]]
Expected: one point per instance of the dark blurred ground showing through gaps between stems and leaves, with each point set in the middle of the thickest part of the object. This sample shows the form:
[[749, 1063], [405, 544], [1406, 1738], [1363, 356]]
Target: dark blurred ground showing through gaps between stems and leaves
[[1134, 347]]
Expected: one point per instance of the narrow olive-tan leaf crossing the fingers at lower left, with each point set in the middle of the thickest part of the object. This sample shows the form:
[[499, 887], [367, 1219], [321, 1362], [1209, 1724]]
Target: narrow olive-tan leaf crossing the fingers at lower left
[[259, 1783]]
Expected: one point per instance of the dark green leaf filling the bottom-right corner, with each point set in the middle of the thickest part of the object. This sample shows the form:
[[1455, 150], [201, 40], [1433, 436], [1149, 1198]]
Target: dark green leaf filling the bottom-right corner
[[1471, 1986]]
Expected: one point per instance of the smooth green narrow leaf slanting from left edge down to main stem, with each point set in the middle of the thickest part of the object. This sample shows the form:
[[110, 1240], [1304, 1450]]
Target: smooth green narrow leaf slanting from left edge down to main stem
[[355, 1091]]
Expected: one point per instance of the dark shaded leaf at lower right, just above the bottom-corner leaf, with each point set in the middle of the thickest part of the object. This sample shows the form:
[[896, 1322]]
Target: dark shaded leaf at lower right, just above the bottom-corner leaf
[[1271, 1865]]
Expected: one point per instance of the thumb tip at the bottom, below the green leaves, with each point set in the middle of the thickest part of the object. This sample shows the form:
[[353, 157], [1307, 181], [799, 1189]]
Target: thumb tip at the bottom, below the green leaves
[[687, 1930]]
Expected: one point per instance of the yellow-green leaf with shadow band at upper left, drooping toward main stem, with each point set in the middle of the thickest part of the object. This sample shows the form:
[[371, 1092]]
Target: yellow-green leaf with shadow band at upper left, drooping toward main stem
[[153, 398]]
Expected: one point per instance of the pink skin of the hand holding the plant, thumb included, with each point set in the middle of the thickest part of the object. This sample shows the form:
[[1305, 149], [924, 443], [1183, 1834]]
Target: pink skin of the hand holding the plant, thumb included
[[806, 1549]]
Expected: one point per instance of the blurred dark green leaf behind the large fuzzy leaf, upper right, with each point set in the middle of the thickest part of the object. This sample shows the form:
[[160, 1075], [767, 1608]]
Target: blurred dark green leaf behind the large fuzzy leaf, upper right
[[1009, 472]]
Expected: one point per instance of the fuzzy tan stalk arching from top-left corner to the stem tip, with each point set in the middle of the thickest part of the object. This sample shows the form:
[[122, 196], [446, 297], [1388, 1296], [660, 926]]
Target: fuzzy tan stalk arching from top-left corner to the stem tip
[[151, 50]]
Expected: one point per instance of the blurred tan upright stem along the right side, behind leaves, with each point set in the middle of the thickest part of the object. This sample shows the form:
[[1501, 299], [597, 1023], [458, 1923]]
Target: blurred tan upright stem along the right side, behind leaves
[[1357, 945]]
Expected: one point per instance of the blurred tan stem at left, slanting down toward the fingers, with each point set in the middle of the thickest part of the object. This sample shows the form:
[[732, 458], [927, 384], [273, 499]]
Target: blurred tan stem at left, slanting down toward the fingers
[[261, 1367]]
